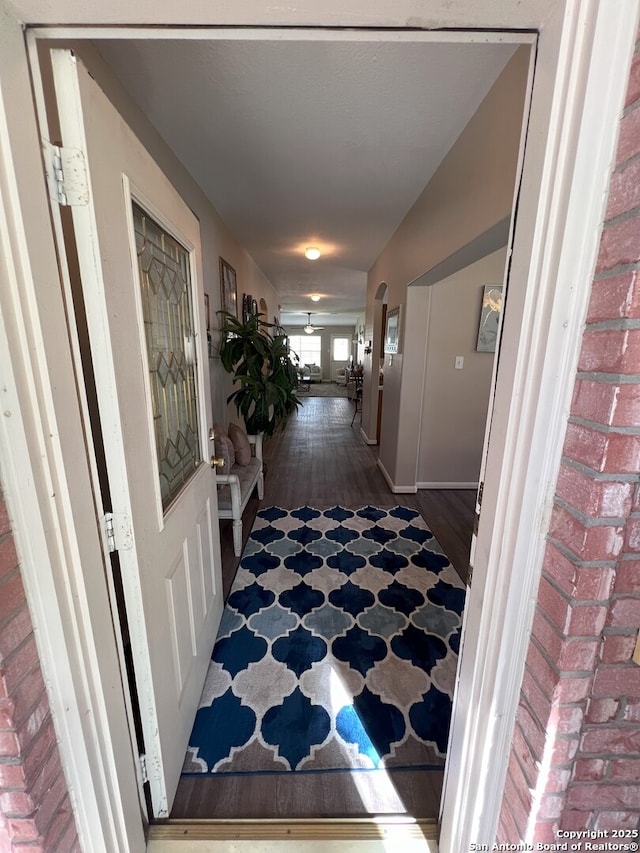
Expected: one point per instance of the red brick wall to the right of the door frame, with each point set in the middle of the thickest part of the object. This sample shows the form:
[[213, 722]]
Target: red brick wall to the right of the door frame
[[575, 760]]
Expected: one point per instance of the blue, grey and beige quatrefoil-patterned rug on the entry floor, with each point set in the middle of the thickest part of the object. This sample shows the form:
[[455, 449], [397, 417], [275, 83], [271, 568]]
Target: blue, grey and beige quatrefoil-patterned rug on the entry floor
[[337, 648]]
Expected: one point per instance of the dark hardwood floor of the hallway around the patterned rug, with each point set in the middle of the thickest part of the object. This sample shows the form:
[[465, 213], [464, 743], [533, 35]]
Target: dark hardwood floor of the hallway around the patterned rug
[[319, 459]]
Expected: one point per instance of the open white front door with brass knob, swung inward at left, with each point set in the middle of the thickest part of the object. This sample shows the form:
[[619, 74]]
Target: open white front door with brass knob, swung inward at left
[[139, 255]]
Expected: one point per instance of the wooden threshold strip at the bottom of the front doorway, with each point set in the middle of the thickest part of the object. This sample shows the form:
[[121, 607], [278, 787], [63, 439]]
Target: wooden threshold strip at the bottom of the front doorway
[[396, 830]]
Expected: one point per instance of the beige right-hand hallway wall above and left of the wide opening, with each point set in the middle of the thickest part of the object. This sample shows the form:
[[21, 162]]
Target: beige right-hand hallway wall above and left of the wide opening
[[470, 193]]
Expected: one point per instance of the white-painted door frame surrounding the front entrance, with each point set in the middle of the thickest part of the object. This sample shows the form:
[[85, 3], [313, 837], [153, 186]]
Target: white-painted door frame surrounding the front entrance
[[578, 44]]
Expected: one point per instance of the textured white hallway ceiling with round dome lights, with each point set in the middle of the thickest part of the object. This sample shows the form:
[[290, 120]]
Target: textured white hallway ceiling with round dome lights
[[302, 143]]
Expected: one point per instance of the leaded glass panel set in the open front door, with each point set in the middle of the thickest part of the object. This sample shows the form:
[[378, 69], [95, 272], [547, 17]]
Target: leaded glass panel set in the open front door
[[167, 306]]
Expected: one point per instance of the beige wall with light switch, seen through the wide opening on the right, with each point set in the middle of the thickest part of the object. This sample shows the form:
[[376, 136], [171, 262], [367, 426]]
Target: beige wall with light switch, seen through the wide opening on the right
[[454, 409]]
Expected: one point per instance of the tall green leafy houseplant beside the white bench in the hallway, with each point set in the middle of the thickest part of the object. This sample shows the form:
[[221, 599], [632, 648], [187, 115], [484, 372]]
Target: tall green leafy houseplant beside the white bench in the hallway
[[261, 366]]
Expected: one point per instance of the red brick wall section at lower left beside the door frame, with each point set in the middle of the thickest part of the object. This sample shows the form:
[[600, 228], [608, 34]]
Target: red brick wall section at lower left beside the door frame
[[35, 811]]
